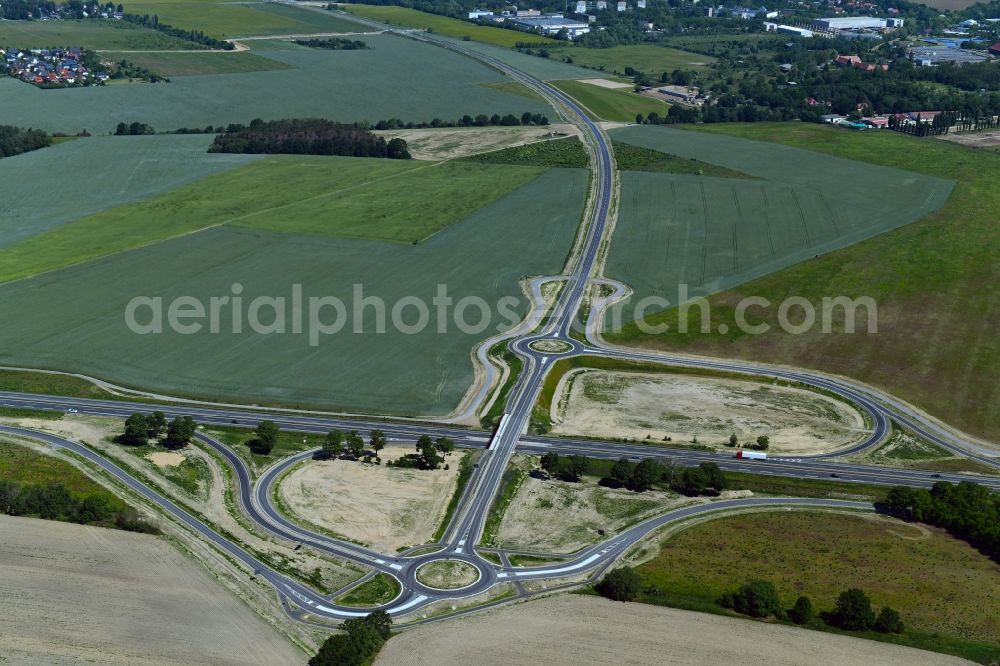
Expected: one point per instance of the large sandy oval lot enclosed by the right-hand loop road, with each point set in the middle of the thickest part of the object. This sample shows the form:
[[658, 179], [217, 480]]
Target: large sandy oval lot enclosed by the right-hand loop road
[[637, 405]]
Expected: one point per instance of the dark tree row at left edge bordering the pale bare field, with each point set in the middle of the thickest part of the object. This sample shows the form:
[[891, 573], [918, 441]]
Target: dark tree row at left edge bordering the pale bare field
[[54, 501]]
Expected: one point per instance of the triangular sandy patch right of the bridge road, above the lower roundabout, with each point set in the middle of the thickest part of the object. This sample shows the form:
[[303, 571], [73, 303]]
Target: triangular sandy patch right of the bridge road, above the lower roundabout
[[572, 514]]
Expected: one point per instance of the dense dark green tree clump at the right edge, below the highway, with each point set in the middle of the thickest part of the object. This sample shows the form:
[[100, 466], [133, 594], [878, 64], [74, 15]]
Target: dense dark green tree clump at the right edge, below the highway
[[967, 510]]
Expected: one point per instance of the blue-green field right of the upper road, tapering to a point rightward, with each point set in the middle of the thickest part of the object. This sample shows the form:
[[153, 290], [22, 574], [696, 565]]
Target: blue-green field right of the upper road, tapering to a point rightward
[[715, 233]]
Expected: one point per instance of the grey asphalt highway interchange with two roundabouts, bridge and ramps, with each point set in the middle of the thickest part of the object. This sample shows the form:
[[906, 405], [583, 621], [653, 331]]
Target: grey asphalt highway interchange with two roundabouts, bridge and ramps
[[463, 534]]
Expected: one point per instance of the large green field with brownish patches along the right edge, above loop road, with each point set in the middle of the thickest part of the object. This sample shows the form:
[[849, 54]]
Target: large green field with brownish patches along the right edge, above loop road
[[936, 282]]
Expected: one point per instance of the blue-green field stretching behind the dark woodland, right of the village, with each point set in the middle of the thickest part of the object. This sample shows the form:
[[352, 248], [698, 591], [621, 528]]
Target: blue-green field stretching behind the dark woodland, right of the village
[[398, 78]]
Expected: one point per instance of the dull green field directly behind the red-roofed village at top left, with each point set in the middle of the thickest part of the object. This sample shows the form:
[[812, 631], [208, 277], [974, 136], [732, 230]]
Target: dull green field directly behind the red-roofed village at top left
[[88, 34]]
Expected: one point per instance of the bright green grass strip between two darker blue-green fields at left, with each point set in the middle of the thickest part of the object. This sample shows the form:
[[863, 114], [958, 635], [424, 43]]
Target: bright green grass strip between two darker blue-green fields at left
[[367, 198]]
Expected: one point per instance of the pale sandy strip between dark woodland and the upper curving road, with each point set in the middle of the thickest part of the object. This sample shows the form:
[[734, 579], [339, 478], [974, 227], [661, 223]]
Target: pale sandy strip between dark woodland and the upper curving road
[[452, 142]]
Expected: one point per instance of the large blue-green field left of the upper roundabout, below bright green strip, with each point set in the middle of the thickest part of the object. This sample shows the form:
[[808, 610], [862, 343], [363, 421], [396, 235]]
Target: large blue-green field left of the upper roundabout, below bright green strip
[[82, 328]]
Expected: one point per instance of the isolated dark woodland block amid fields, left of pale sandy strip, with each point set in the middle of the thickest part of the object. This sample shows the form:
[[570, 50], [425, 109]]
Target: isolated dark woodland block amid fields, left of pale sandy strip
[[308, 137]]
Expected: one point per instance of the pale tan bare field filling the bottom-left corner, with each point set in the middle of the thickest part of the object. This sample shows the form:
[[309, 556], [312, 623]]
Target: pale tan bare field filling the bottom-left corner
[[72, 594]]
